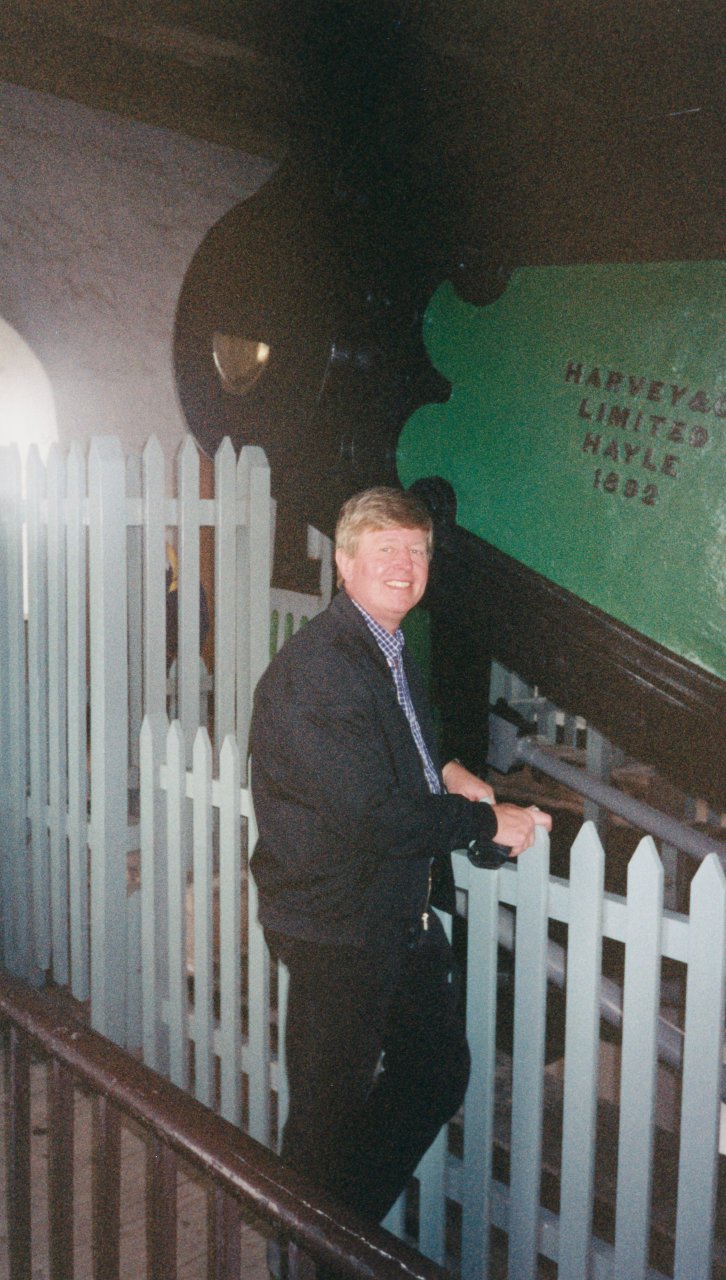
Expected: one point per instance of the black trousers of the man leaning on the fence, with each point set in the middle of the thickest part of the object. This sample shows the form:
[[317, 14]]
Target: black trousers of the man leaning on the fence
[[377, 1062]]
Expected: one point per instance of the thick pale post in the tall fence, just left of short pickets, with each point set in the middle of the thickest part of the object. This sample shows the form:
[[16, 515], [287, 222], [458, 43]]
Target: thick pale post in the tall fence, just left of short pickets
[[109, 735]]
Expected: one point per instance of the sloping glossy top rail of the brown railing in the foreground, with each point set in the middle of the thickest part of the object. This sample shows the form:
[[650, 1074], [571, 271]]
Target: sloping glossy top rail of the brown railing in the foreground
[[236, 1164]]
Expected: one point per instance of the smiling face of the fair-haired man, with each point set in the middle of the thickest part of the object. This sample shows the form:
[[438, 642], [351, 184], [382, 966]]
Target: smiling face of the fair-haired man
[[389, 573]]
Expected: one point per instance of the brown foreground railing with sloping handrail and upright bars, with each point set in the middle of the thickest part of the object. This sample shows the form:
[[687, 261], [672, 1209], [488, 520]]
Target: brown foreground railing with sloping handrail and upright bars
[[241, 1173]]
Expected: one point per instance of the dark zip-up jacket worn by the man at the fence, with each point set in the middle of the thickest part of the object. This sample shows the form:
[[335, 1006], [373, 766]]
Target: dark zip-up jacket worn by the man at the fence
[[348, 824]]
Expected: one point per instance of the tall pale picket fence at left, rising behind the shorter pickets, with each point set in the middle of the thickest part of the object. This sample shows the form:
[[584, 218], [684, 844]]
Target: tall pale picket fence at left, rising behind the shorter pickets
[[84, 656]]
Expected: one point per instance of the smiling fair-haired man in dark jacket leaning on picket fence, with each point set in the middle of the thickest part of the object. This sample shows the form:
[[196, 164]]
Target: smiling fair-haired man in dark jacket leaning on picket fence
[[357, 826]]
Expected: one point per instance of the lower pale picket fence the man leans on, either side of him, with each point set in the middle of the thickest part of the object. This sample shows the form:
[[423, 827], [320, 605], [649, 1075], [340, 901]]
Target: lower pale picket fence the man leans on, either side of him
[[186, 810]]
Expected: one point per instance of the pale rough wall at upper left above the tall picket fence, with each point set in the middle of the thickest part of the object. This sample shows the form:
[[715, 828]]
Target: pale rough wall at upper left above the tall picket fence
[[99, 221]]
